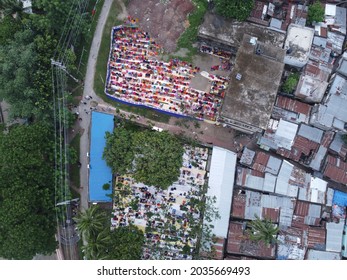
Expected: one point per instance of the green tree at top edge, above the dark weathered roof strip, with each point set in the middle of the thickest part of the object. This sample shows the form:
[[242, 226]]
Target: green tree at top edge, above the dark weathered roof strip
[[235, 9]]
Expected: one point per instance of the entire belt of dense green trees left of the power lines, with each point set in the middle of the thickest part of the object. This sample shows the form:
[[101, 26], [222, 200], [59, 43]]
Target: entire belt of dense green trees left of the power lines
[[28, 42]]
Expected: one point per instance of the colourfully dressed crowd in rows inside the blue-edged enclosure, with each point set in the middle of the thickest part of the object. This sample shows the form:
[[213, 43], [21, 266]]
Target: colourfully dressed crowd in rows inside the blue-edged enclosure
[[137, 76]]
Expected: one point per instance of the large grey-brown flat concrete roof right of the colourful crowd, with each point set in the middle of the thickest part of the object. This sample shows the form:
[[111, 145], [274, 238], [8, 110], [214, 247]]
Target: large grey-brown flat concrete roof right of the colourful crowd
[[251, 96]]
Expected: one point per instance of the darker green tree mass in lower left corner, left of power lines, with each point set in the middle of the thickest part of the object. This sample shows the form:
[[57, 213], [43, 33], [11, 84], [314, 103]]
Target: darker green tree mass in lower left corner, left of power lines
[[27, 215]]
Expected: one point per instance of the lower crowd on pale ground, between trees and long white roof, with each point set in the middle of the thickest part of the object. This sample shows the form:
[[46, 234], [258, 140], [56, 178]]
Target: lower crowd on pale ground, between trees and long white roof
[[165, 216]]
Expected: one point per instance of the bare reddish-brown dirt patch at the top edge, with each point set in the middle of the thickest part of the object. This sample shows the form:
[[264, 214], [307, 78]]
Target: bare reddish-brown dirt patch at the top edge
[[164, 20]]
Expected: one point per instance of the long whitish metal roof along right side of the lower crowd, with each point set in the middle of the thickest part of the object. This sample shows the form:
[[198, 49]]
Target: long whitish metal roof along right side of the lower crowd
[[221, 183]]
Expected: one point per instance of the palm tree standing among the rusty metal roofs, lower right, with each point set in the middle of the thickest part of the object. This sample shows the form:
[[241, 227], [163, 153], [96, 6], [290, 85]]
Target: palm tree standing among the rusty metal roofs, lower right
[[263, 230]]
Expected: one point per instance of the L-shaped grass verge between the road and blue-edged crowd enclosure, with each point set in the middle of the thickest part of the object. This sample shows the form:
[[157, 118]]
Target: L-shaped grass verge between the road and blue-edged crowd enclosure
[[101, 71]]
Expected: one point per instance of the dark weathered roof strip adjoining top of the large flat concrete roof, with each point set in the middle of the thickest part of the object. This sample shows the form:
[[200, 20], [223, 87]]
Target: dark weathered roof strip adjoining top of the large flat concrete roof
[[230, 33]]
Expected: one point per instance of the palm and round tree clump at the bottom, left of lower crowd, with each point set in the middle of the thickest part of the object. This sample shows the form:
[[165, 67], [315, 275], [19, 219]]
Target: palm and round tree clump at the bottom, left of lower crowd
[[123, 243]]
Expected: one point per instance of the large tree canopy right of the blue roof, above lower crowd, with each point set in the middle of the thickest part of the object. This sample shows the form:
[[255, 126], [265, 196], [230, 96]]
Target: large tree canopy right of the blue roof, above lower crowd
[[154, 158]]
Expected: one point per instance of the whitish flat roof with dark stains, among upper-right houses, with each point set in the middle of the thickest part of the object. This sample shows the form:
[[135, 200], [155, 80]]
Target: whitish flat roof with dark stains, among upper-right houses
[[298, 44]]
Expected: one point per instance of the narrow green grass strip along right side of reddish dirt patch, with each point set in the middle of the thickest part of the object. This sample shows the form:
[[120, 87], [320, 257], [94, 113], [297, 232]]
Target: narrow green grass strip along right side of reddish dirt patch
[[190, 35]]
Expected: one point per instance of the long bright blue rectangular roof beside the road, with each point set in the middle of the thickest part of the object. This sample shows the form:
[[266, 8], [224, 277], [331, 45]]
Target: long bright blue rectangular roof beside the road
[[99, 172]]
